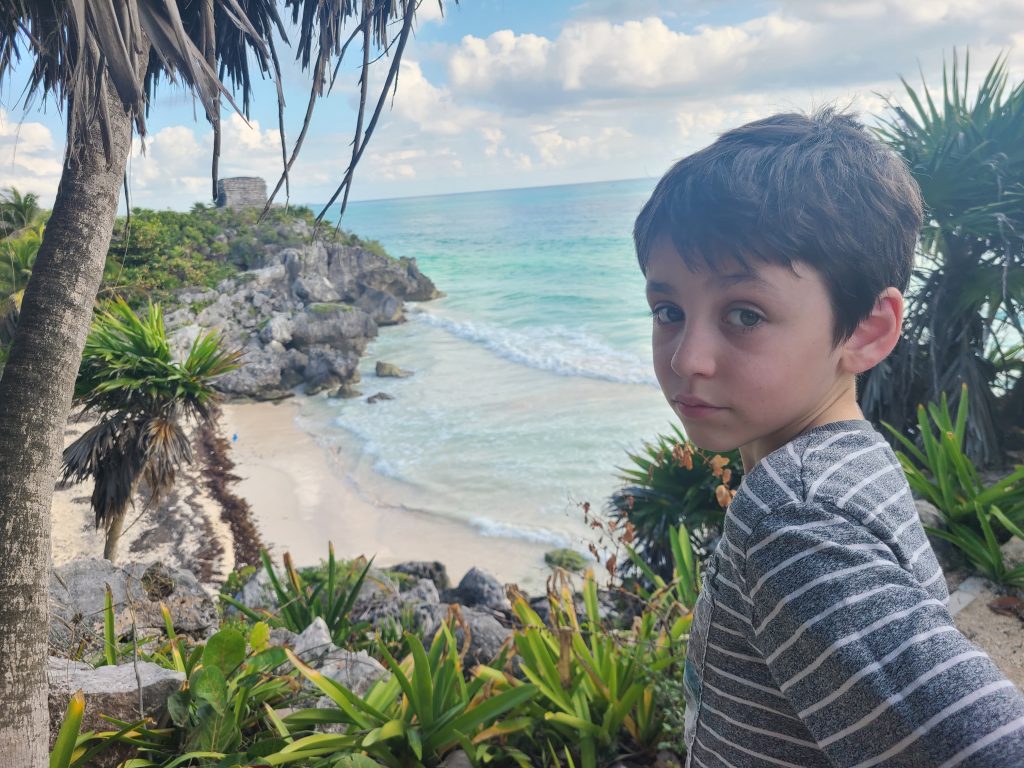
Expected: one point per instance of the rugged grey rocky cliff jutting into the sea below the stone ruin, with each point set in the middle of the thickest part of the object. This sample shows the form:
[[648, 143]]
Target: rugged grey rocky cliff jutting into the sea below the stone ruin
[[303, 315]]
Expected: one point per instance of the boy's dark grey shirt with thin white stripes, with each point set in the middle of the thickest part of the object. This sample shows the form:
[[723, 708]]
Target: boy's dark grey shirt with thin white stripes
[[822, 636]]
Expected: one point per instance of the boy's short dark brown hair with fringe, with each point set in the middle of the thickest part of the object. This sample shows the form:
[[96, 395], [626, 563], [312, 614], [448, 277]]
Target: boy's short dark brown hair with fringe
[[818, 190]]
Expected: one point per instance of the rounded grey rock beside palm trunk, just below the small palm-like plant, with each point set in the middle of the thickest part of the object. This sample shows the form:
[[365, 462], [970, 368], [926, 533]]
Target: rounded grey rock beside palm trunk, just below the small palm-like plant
[[77, 592]]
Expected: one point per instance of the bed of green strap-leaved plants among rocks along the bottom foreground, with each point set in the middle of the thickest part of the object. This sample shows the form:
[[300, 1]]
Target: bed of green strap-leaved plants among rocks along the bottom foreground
[[576, 690]]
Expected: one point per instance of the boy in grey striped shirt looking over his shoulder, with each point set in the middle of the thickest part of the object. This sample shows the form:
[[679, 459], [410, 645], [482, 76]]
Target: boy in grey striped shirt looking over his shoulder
[[776, 263]]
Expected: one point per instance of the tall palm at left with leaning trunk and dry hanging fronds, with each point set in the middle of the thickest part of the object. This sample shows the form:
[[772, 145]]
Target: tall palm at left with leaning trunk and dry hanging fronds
[[102, 61]]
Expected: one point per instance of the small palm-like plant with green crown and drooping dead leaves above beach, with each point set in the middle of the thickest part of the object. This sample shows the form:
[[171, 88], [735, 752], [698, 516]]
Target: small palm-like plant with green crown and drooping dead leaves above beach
[[142, 397]]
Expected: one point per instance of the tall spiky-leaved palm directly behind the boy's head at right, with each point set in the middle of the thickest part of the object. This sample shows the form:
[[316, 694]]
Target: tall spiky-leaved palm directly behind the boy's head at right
[[964, 310]]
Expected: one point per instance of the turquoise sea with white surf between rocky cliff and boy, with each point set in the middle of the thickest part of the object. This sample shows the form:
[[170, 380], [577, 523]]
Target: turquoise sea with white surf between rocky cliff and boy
[[532, 378]]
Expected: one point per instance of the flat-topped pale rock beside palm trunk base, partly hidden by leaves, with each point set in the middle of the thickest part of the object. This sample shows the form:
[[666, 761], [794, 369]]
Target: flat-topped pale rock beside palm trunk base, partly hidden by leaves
[[109, 691]]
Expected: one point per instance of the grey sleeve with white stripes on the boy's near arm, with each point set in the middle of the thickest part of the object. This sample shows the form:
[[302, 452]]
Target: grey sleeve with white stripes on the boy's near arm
[[870, 661]]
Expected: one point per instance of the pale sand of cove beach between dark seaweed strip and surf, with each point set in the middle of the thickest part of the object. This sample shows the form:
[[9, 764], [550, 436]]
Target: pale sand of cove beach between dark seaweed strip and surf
[[303, 497]]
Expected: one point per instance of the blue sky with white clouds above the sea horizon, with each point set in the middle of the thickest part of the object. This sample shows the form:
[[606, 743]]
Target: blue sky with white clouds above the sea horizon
[[516, 94]]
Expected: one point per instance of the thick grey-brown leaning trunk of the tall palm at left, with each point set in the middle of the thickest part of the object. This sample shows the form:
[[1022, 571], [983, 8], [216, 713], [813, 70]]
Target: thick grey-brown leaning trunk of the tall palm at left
[[35, 398]]
